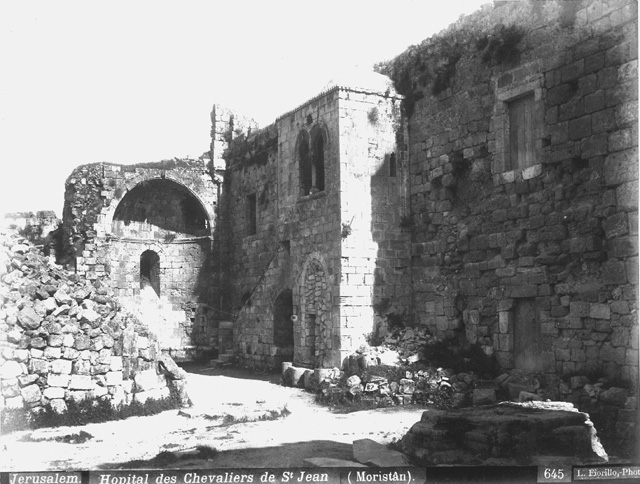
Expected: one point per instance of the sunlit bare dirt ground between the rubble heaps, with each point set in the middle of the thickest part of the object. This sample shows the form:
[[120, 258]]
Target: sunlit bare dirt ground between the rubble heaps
[[227, 407]]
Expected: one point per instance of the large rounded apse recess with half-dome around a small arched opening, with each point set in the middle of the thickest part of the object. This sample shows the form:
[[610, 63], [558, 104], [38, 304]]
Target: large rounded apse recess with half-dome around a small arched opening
[[157, 210]]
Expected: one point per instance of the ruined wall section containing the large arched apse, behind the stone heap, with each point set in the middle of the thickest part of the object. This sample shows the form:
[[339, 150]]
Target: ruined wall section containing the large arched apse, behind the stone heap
[[118, 218]]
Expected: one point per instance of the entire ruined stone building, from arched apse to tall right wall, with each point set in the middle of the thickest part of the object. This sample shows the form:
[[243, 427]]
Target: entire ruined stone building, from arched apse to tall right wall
[[488, 192]]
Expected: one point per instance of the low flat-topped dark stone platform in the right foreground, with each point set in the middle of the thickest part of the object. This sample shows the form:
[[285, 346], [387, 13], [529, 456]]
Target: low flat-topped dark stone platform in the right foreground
[[531, 433]]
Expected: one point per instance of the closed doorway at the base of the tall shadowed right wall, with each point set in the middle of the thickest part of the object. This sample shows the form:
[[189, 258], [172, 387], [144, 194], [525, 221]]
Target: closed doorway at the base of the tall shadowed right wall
[[528, 336]]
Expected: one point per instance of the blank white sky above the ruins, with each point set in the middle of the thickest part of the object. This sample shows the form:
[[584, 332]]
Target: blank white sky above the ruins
[[134, 81]]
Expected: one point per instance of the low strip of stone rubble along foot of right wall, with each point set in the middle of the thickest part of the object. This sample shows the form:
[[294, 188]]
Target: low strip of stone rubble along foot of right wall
[[612, 408]]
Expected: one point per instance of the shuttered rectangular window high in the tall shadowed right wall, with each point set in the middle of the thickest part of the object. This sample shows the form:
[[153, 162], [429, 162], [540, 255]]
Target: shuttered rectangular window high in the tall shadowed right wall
[[522, 132]]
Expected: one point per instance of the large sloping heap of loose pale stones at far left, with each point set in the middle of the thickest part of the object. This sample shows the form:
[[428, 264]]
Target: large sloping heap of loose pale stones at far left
[[66, 338]]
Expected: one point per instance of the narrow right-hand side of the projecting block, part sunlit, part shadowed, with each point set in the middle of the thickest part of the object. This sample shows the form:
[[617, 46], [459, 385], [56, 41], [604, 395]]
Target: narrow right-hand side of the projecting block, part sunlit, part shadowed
[[375, 250]]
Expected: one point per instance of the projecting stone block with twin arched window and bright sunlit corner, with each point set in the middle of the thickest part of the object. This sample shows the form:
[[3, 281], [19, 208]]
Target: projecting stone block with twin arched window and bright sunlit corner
[[314, 209]]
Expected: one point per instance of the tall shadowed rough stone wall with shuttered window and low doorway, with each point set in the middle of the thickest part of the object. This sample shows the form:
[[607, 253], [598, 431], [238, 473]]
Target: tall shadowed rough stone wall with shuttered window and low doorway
[[537, 264]]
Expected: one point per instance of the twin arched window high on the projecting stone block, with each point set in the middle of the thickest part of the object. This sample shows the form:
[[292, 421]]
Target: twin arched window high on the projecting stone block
[[311, 148]]
